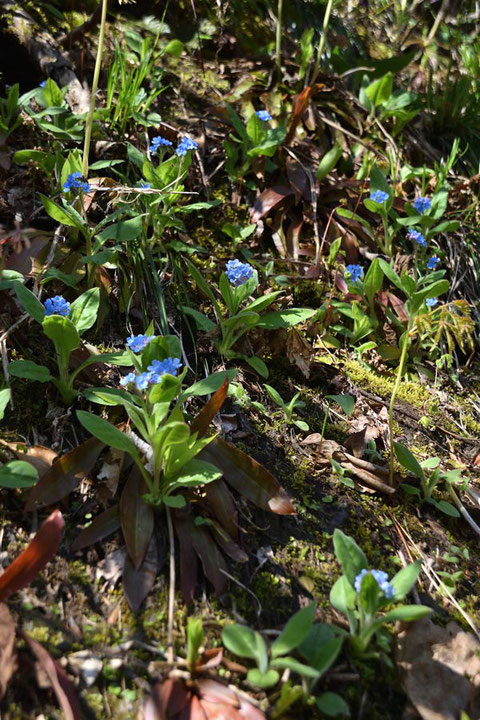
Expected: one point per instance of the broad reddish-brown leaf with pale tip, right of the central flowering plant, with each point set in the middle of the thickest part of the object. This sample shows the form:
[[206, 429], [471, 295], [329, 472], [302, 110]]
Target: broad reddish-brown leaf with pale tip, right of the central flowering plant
[[248, 477]]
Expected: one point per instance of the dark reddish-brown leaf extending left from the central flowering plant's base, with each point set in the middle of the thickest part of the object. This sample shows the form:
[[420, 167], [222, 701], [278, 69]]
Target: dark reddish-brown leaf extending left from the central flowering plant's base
[[65, 474]]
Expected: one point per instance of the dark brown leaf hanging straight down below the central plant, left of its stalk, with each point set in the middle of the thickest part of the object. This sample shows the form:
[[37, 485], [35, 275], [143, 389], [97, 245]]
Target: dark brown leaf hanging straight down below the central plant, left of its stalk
[[136, 517]]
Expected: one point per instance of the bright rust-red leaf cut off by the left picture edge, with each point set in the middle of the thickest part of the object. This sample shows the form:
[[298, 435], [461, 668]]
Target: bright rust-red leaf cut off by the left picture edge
[[34, 558]]
